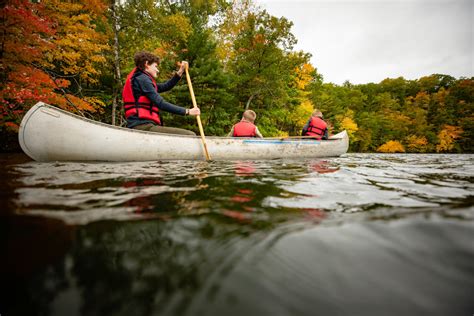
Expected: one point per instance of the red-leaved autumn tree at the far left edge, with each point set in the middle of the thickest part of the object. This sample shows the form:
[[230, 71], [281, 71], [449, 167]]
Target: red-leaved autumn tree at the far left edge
[[25, 29]]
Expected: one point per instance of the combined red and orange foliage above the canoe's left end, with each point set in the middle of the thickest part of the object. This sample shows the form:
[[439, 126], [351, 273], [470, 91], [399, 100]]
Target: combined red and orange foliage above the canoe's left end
[[36, 36]]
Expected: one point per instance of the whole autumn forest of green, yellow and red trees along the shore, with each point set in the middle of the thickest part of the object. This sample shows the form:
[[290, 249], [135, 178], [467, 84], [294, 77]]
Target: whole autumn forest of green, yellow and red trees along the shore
[[76, 55]]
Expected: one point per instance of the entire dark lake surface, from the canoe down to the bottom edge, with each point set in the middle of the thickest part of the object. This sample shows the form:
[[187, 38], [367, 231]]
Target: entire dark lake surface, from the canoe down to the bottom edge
[[363, 234]]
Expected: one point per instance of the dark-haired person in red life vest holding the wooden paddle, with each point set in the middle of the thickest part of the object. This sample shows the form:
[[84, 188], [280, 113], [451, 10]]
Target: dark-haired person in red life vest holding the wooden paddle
[[142, 101]]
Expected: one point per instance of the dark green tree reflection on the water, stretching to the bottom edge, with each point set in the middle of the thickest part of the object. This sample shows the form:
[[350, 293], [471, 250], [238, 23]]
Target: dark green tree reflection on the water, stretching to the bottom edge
[[196, 232]]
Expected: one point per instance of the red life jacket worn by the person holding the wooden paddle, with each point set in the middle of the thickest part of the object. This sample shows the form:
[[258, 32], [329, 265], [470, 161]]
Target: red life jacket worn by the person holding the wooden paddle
[[142, 108]]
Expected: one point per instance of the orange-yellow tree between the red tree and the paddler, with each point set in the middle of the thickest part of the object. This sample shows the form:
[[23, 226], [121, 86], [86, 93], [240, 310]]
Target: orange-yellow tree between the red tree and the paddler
[[79, 48]]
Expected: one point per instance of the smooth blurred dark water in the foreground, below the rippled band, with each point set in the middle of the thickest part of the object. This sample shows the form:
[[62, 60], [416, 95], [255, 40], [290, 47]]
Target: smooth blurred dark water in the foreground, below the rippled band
[[206, 266]]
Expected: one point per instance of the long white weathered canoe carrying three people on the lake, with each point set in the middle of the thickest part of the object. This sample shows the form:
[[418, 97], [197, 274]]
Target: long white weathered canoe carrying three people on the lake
[[48, 133]]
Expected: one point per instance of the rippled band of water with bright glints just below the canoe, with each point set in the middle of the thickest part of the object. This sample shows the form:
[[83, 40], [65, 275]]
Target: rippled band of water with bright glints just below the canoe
[[249, 191]]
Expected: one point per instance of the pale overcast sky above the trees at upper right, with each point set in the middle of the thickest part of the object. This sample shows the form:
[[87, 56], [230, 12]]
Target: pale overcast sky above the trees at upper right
[[369, 40]]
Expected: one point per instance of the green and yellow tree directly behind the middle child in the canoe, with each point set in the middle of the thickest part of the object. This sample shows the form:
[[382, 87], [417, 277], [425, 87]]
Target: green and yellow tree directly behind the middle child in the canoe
[[260, 68]]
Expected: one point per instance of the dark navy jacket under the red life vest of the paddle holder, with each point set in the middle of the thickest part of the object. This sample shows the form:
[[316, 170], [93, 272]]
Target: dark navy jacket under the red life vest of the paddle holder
[[142, 85]]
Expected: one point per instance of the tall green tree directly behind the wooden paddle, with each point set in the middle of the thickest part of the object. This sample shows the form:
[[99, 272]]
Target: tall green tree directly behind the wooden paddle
[[210, 81]]
